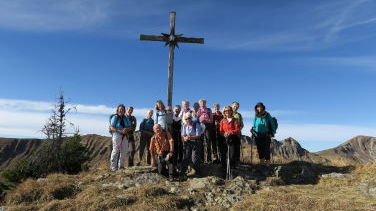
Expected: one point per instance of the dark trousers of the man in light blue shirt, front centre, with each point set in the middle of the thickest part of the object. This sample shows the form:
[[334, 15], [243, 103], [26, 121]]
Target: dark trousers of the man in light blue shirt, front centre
[[192, 155]]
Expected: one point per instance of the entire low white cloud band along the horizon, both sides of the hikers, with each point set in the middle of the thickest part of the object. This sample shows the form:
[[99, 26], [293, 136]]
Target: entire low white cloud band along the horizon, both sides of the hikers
[[22, 118]]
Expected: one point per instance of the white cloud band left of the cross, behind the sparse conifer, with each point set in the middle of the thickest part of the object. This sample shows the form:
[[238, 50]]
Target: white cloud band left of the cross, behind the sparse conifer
[[24, 118]]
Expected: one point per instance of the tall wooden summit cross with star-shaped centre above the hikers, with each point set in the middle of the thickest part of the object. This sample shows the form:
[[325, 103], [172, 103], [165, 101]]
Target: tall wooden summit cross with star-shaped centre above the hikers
[[171, 40]]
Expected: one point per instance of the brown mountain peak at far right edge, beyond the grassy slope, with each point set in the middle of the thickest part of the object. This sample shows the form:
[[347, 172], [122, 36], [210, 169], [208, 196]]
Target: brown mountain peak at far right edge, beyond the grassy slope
[[361, 149]]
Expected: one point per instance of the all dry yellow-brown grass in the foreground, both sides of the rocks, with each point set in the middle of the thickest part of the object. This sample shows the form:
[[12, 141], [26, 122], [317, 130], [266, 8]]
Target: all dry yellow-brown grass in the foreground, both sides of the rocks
[[84, 191]]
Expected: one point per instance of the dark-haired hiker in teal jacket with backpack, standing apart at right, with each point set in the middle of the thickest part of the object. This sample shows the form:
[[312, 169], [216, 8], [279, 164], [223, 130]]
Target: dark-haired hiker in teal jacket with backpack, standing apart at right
[[264, 127]]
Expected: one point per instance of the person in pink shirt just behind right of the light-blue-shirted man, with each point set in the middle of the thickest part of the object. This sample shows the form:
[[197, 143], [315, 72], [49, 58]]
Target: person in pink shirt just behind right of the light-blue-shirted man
[[205, 116]]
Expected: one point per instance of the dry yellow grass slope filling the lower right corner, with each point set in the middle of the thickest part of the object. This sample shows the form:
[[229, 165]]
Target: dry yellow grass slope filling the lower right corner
[[328, 194]]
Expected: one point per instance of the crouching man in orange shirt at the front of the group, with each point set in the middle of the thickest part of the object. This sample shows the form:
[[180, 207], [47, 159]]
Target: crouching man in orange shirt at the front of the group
[[162, 144]]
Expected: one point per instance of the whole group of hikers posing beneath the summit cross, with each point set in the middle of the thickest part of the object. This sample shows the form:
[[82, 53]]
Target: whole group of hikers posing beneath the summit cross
[[175, 138]]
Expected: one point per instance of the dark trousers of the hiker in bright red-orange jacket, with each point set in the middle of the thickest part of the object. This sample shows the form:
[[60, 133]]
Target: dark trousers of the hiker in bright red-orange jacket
[[232, 144]]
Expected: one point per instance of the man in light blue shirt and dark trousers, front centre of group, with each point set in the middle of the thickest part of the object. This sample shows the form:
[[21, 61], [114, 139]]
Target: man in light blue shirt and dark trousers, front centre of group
[[192, 145]]
